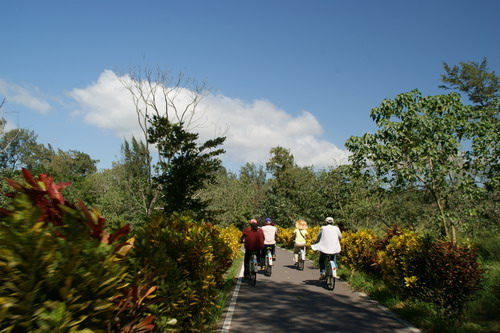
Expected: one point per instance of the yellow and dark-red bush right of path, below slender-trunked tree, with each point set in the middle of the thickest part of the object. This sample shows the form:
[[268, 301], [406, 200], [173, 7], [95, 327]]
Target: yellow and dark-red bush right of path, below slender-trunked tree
[[439, 272]]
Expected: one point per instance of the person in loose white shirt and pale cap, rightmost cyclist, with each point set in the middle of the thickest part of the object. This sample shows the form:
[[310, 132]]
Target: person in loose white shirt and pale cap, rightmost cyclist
[[328, 242]]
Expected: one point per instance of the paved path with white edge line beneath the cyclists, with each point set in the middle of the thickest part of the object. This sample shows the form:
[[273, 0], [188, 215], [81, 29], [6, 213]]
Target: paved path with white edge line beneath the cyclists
[[296, 301]]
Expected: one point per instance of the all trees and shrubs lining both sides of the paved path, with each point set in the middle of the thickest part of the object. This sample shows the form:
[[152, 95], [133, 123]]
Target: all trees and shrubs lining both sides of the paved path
[[151, 243]]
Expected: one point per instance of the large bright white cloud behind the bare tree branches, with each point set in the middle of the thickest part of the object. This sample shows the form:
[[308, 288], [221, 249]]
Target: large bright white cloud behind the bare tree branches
[[252, 129]]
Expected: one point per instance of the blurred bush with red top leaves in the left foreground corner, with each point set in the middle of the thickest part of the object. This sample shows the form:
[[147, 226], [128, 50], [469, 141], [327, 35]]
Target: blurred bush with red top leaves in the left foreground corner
[[59, 268]]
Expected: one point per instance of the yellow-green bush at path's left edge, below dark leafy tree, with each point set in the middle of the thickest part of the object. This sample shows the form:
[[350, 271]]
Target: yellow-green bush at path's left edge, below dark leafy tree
[[187, 260]]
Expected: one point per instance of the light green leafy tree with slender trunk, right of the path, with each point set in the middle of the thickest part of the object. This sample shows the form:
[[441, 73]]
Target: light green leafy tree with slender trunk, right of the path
[[419, 143]]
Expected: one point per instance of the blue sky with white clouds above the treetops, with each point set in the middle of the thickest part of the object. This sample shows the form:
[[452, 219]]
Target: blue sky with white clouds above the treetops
[[300, 74]]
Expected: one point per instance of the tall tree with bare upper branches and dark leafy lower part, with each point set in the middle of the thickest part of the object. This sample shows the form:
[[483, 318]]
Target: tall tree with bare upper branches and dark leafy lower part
[[167, 109]]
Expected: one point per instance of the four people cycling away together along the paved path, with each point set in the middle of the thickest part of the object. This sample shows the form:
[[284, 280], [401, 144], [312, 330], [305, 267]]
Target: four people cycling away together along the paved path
[[258, 239]]
